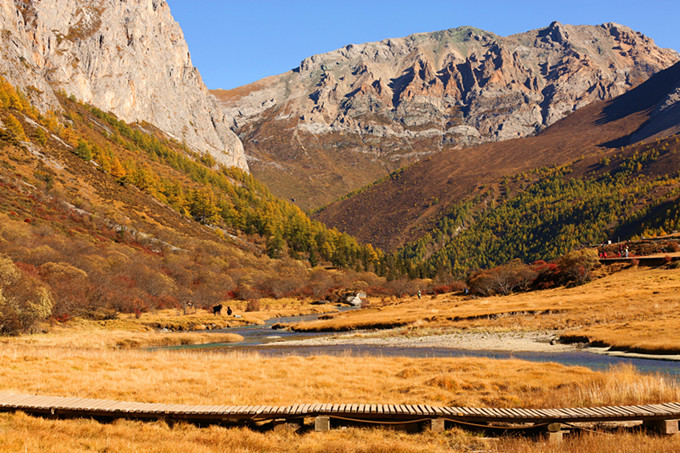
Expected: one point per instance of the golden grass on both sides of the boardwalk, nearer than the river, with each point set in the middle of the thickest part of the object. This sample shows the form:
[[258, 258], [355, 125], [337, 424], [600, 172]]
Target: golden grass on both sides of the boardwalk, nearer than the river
[[238, 379]]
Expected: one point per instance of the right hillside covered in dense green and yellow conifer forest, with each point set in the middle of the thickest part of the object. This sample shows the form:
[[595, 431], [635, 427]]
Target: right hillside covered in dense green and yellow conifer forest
[[632, 192]]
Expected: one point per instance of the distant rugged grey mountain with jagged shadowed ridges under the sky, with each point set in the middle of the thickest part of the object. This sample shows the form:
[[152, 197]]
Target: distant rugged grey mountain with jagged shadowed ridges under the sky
[[343, 119]]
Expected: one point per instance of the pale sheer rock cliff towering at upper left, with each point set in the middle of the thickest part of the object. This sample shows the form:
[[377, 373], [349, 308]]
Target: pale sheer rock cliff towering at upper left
[[127, 57]]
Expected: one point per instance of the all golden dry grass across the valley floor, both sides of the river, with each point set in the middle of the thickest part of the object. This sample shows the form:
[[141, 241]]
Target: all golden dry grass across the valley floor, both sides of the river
[[93, 360]]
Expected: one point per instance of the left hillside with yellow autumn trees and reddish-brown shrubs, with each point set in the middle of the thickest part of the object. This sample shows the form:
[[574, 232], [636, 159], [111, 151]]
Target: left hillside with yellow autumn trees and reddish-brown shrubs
[[115, 217]]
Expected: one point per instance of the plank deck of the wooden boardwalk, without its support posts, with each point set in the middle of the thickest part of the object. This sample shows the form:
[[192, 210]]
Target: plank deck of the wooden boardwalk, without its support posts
[[97, 408]]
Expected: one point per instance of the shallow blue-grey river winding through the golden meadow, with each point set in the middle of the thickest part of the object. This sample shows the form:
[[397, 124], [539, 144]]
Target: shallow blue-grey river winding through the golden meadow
[[269, 342]]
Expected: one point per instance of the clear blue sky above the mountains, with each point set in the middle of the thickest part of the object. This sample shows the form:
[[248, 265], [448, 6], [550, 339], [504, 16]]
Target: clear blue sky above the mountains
[[234, 43]]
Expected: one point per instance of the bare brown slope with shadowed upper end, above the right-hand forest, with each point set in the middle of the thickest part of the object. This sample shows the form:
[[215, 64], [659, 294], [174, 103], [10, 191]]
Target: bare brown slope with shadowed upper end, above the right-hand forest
[[401, 207]]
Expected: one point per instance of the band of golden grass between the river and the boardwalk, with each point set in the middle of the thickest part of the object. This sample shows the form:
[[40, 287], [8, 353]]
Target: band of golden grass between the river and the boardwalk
[[244, 379]]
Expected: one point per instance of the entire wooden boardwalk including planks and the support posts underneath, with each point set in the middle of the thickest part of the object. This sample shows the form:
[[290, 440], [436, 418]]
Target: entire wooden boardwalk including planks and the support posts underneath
[[659, 417]]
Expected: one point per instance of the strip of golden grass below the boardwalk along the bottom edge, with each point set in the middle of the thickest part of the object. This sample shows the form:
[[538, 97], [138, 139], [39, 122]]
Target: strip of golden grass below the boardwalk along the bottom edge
[[23, 433]]
